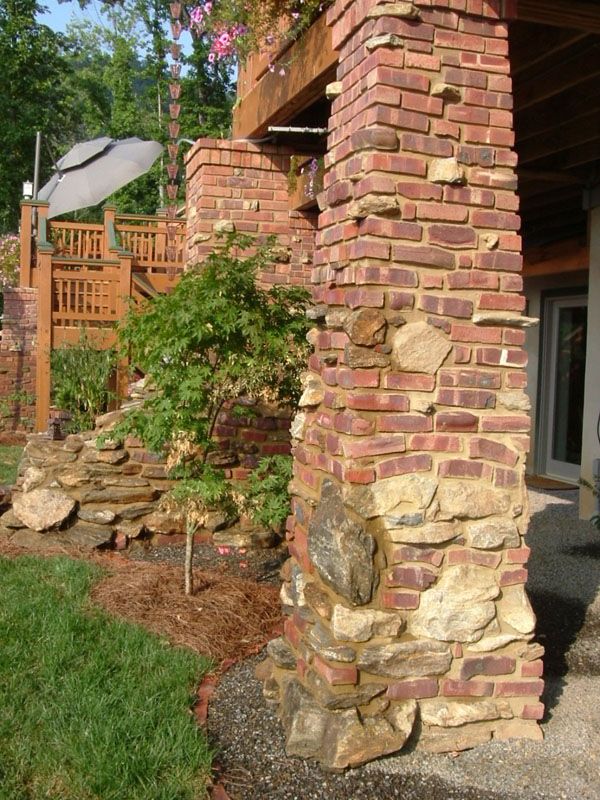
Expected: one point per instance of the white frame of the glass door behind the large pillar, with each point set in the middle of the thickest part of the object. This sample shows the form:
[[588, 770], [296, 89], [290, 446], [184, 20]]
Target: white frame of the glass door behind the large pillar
[[547, 382]]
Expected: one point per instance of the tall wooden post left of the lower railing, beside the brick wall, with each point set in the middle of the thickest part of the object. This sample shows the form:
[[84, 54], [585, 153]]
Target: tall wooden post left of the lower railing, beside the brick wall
[[44, 338]]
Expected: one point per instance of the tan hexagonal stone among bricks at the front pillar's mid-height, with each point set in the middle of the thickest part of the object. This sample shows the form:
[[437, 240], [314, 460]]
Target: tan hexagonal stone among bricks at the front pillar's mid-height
[[417, 347]]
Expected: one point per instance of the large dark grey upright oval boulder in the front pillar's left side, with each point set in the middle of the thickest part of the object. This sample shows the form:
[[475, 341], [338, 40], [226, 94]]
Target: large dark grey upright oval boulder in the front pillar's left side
[[340, 549]]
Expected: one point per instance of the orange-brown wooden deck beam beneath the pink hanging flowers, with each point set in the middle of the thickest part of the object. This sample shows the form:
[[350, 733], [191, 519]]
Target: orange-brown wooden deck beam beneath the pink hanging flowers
[[276, 98]]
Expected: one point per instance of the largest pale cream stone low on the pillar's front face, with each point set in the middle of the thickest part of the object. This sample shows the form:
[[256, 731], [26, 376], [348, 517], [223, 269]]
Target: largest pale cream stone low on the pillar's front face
[[458, 607]]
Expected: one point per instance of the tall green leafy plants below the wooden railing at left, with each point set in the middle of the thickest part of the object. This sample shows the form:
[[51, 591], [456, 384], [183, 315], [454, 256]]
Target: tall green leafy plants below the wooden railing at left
[[80, 381]]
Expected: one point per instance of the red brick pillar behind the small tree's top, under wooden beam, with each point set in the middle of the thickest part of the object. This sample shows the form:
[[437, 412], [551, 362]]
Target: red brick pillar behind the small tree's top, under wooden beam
[[241, 186]]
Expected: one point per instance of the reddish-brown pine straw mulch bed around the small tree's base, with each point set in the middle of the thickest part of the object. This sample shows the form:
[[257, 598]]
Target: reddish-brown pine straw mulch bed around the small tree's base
[[226, 618]]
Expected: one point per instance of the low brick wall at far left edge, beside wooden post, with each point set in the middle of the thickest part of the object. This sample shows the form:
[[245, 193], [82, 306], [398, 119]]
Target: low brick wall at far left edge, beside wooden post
[[17, 359]]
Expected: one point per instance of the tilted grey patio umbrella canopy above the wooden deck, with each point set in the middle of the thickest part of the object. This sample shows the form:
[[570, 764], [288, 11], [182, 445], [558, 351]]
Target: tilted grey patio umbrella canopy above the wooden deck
[[87, 184]]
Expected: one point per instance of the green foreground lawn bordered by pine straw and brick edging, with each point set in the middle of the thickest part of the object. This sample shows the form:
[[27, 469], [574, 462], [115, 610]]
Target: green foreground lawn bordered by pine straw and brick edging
[[90, 707]]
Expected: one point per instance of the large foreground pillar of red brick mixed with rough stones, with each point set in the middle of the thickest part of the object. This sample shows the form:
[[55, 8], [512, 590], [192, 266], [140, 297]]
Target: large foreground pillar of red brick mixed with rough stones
[[407, 612]]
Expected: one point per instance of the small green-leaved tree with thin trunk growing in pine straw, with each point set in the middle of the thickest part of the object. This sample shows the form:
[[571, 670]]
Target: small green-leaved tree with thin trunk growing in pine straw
[[217, 338]]
